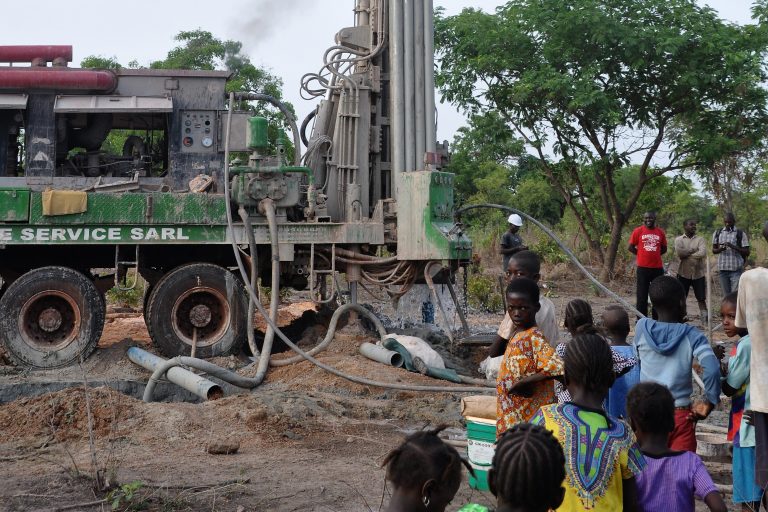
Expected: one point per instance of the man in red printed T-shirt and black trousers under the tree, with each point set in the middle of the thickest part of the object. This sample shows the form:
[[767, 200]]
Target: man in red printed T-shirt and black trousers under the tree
[[648, 242]]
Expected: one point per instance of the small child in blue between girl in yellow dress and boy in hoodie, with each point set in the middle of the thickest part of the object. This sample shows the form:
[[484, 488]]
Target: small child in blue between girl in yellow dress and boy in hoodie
[[616, 329]]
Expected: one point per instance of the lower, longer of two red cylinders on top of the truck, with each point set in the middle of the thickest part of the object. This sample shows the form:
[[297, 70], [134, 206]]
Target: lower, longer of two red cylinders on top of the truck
[[57, 79]]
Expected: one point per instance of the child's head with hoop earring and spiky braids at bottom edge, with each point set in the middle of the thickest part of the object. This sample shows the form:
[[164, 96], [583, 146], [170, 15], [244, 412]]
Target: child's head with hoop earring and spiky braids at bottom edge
[[425, 473]]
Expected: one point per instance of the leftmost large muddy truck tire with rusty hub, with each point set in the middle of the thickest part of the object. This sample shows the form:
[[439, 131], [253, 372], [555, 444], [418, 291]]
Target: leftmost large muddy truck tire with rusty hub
[[51, 317]]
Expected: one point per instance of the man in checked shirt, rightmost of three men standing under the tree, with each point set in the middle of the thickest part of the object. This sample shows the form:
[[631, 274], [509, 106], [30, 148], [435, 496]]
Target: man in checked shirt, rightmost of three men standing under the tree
[[732, 247]]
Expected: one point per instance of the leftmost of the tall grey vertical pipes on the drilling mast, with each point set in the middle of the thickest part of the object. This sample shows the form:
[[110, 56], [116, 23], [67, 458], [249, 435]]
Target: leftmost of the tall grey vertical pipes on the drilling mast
[[397, 93]]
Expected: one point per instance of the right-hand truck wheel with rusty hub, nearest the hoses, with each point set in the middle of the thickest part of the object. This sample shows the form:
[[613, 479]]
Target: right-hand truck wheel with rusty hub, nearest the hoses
[[201, 301]]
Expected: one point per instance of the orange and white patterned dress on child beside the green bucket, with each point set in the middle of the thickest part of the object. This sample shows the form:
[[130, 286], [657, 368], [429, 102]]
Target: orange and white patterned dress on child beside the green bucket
[[527, 353]]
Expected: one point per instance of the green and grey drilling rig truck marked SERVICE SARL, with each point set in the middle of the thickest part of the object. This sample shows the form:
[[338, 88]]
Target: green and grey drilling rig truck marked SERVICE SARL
[[107, 171]]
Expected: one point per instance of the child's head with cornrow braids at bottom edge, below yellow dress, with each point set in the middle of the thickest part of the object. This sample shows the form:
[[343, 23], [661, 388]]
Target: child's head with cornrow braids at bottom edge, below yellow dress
[[528, 470]]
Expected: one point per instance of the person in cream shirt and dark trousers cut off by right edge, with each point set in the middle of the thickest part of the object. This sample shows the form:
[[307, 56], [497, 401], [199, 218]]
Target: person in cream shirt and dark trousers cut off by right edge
[[752, 313]]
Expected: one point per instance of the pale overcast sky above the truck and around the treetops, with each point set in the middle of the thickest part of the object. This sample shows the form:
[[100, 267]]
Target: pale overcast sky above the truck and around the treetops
[[287, 37]]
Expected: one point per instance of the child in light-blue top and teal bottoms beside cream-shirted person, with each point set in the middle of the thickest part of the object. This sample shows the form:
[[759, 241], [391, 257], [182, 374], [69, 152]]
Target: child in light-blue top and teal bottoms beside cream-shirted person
[[736, 385]]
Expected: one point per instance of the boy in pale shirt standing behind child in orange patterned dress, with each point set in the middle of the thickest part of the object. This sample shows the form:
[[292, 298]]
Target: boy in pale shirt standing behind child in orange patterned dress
[[526, 264]]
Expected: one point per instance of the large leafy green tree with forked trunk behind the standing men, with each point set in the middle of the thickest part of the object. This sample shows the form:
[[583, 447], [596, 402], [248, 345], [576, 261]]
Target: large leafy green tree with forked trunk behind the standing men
[[592, 86]]
